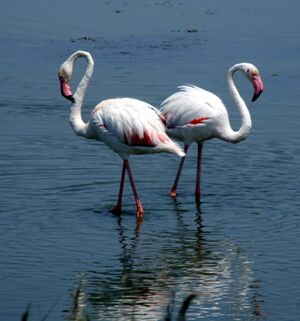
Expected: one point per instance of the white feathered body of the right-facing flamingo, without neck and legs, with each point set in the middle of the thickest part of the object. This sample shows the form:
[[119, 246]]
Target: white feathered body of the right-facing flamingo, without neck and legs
[[194, 114]]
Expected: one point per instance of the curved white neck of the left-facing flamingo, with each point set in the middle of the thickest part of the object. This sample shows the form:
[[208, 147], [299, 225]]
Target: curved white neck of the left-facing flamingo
[[79, 126]]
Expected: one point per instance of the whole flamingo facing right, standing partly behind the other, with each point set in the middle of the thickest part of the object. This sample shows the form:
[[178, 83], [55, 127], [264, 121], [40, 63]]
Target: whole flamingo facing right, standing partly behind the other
[[195, 115]]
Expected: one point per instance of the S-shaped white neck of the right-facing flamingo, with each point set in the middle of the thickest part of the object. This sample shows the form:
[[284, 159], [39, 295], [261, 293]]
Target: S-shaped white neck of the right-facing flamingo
[[231, 135]]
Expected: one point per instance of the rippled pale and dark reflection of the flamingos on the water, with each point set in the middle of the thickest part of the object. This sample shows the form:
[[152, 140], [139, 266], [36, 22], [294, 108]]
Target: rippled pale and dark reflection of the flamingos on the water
[[184, 261]]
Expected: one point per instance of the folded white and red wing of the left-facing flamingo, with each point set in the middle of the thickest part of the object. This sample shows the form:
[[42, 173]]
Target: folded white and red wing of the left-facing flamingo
[[131, 122]]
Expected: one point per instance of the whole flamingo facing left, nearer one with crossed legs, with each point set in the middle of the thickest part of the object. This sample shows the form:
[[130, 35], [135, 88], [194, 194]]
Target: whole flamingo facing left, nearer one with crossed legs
[[126, 125]]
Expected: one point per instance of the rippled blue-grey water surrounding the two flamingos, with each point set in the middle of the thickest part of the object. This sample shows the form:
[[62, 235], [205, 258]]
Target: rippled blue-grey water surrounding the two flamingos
[[238, 251]]
